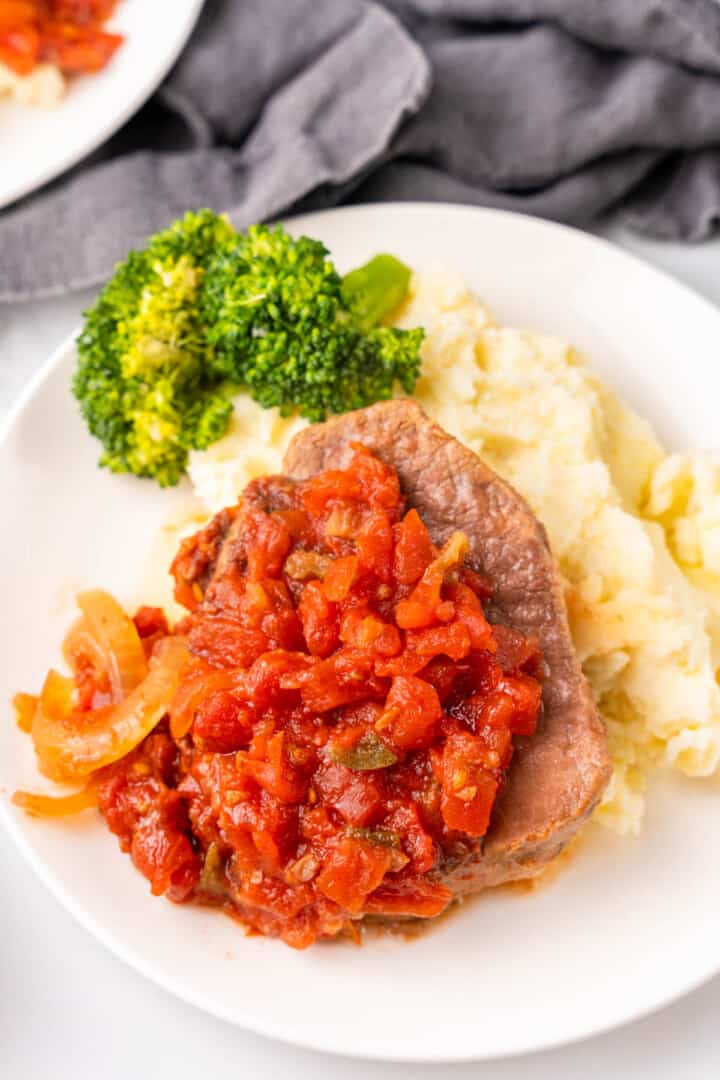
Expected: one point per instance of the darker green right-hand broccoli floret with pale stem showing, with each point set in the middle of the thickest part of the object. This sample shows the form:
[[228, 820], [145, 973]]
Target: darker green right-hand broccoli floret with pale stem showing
[[283, 323]]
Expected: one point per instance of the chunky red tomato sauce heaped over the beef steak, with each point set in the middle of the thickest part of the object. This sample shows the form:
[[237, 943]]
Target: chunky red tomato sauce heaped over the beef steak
[[347, 720]]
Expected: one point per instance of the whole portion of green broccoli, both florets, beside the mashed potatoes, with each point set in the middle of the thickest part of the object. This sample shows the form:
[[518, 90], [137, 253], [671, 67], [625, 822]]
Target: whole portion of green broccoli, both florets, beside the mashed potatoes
[[205, 312]]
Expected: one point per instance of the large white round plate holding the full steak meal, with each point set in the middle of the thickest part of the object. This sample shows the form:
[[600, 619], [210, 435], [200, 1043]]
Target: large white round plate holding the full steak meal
[[627, 927]]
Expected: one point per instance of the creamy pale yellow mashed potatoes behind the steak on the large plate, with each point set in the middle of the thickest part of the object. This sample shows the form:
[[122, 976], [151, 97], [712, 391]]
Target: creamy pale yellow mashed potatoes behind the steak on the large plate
[[636, 533]]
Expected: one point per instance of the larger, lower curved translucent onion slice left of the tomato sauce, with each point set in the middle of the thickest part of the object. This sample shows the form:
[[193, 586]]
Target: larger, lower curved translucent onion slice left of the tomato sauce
[[73, 745]]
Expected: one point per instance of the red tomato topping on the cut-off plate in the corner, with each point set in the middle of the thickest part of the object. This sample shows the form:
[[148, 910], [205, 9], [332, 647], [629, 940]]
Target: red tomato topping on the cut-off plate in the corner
[[66, 33]]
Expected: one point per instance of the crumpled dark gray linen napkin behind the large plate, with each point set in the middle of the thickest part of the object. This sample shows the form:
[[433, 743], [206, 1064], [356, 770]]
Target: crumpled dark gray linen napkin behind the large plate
[[563, 109]]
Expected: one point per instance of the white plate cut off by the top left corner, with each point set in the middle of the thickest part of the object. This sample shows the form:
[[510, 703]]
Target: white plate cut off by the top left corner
[[38, 144]]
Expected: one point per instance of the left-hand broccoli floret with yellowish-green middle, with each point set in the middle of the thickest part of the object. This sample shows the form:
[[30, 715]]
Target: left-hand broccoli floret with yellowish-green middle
[[143, 383]]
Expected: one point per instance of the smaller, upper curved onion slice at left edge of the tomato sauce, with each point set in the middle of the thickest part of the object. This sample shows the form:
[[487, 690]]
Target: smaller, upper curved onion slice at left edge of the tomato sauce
[[116, 639]]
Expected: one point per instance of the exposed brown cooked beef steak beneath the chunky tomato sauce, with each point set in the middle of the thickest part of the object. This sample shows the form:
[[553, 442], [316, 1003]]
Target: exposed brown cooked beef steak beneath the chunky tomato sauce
[[559, 775]]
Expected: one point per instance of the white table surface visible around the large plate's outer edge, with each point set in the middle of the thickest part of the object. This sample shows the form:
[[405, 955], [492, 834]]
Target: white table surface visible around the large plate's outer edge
[[69, 1009]]
